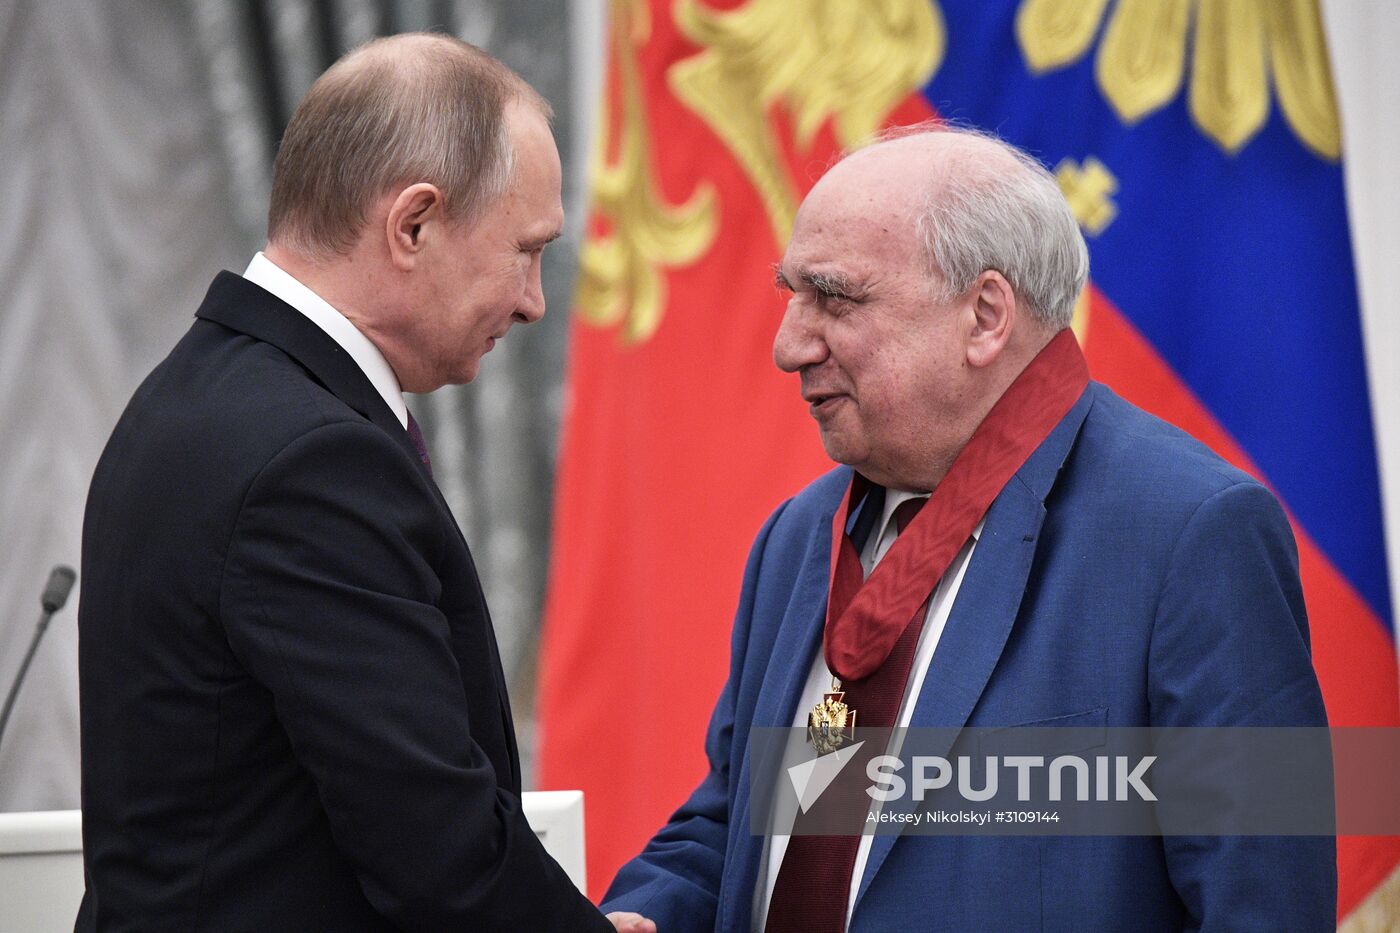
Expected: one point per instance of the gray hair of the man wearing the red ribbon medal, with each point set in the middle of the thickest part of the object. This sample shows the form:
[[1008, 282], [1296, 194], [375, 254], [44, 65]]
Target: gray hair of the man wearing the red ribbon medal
[[1004, 215]]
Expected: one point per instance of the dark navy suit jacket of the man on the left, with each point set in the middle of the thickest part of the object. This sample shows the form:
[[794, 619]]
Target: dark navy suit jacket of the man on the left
[[293, 708]]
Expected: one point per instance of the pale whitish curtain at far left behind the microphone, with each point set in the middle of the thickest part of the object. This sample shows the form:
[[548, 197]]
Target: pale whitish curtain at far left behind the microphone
[[114, 208]]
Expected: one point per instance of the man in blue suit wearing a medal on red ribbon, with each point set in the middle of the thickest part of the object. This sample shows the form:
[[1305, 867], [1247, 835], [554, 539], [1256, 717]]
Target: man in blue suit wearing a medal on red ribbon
[[1079, 564]]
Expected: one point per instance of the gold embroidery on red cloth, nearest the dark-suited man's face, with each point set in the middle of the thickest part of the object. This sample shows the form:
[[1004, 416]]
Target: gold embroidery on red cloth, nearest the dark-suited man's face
[[619, 279]]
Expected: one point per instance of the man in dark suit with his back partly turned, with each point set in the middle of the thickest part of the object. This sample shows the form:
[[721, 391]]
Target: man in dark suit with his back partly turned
[[295, 715]]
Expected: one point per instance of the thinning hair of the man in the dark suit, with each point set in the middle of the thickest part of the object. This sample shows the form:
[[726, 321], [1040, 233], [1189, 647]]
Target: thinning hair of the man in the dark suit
[[394, 113]]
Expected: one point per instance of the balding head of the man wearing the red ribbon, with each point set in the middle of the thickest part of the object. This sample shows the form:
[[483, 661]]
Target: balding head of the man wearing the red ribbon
[[926, 271]]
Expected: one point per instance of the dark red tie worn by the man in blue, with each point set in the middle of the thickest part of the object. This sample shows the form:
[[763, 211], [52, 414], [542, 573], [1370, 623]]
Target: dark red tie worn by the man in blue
[[815, 879]]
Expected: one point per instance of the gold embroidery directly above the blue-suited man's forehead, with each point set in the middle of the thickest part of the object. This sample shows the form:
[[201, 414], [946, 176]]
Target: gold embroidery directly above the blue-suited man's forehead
[[850, 61]]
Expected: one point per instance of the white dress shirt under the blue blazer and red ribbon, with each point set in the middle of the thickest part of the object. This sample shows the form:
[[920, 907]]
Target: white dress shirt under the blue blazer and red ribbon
[[820, 682]]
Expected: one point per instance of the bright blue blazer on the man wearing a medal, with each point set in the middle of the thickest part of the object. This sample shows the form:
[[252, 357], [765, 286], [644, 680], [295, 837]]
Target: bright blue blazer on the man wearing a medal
[[1126, 576]]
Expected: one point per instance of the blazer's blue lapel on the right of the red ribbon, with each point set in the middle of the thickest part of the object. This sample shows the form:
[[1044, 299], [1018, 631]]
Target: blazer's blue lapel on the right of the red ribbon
[[988, 602]]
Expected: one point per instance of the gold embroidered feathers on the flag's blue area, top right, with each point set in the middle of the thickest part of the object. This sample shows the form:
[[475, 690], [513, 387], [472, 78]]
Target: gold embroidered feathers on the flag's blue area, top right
[[1240, 46]]
